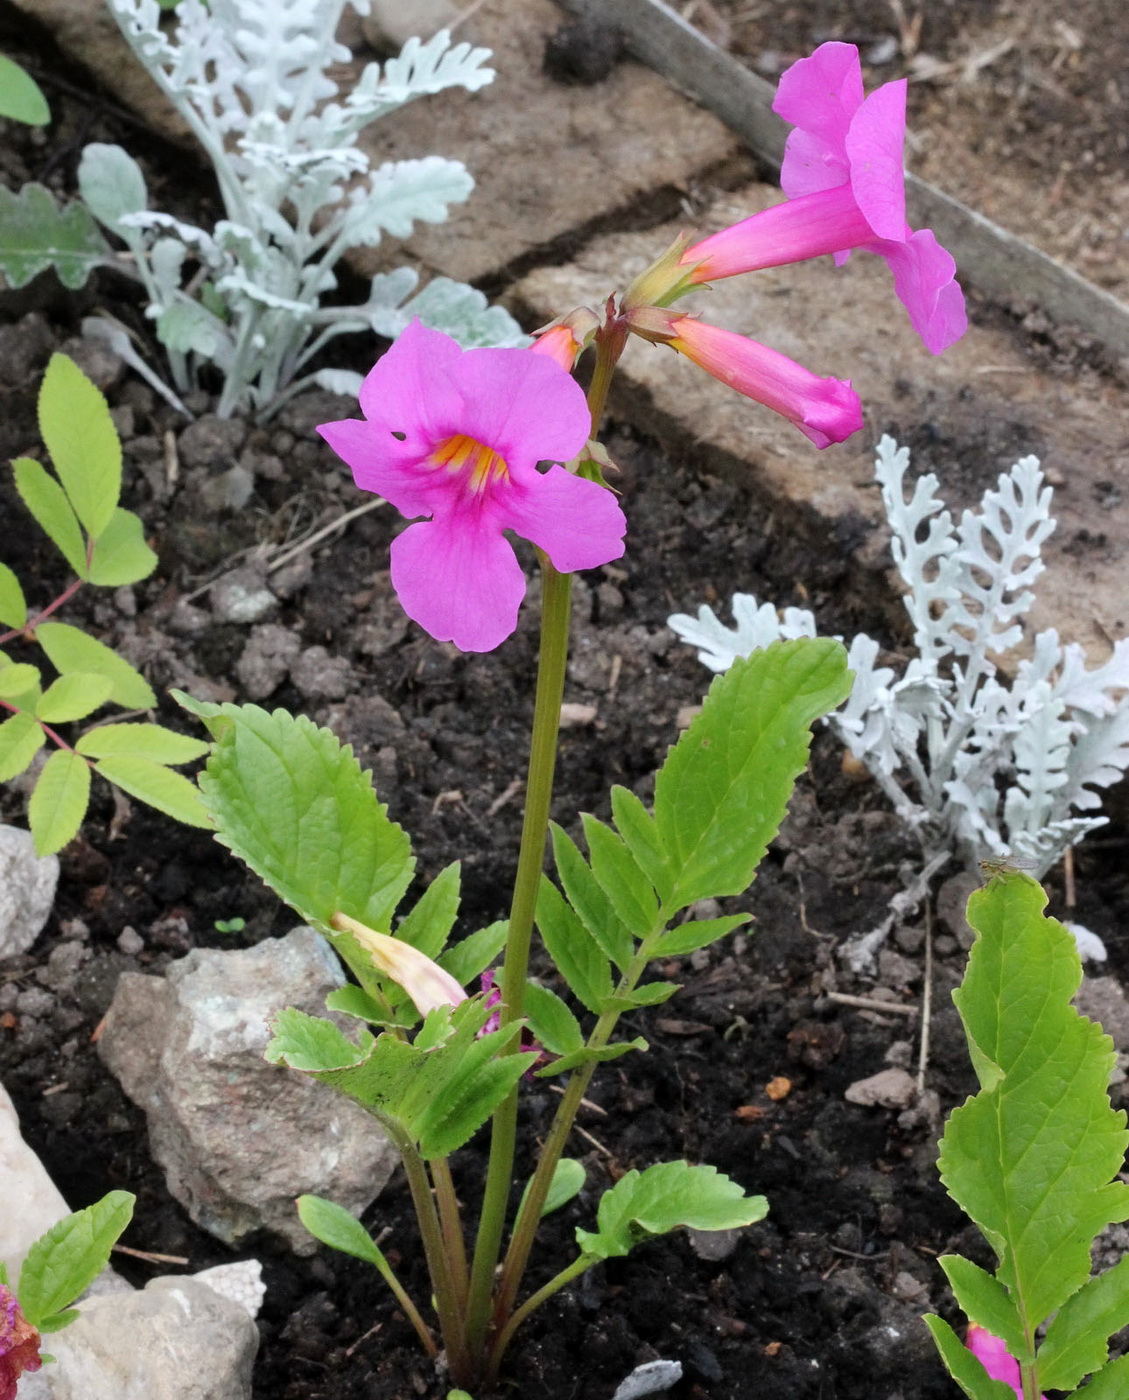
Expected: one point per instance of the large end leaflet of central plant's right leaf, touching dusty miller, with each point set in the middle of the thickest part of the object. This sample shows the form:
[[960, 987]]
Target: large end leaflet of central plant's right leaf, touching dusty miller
[[721, 796]]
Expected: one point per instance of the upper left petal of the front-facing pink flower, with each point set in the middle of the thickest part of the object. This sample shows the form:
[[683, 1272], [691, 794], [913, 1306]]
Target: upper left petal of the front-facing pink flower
[[410, 388]]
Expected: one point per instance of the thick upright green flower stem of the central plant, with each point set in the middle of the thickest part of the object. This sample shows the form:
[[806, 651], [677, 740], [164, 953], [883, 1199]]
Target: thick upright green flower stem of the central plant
[[555, 611]]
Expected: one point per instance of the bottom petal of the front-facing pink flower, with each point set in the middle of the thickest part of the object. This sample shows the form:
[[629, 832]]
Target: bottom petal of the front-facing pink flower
[[459, 579]]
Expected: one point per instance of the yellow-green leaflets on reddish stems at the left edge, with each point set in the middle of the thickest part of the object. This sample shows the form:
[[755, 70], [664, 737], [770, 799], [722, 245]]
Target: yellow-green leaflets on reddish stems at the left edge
[[103, 544]]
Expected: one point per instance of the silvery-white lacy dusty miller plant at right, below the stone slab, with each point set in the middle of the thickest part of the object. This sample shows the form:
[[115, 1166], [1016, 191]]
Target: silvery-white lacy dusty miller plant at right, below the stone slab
[[976, 766]]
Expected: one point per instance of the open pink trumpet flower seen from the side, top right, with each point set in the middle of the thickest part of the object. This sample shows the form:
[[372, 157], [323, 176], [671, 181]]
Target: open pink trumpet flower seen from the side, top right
[[845, 181]]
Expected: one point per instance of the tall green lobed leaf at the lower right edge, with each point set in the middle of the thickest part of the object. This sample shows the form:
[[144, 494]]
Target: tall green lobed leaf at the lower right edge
[[1034, 1158]]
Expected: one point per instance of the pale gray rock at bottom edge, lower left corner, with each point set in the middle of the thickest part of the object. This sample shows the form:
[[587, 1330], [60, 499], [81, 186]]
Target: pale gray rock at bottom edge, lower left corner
[[177, 1339]]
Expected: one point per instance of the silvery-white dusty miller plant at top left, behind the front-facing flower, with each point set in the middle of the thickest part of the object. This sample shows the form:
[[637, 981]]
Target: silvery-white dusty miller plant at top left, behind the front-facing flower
[[251, 78]]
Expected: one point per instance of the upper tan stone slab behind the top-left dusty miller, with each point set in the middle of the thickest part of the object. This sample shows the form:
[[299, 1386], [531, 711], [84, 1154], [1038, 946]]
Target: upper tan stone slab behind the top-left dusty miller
[[551, 160]]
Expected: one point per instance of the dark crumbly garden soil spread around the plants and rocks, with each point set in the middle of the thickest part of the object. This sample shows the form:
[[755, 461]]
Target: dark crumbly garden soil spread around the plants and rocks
[[820, 1303]]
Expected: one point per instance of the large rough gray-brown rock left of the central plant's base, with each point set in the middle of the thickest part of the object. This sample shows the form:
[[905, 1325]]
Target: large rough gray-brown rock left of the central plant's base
[[240, 1139]]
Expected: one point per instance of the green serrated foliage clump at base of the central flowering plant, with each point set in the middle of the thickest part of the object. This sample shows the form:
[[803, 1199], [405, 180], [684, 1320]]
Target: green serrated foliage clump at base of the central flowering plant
[[296, 807]]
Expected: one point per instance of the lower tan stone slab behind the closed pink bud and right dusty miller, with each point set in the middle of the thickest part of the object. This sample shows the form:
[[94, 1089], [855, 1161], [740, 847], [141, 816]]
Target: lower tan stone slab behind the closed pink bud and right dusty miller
[[969, 414]]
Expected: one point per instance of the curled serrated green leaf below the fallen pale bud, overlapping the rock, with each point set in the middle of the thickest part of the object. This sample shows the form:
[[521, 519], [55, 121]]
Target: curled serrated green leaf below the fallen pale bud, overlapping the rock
[[435, 1094]]
